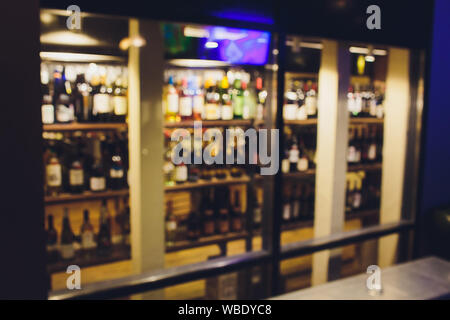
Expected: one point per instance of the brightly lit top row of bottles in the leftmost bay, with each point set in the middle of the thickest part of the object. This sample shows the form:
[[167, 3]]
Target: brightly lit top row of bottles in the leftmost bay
[[83, 93]]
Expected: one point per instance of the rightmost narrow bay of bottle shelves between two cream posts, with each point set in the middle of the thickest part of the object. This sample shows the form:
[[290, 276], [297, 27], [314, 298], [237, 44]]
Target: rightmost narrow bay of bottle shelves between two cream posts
[[364, 154]]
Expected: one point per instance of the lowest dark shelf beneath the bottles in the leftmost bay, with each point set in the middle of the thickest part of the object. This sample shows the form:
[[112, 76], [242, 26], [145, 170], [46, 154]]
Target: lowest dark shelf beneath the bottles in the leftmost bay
[[118, 253]]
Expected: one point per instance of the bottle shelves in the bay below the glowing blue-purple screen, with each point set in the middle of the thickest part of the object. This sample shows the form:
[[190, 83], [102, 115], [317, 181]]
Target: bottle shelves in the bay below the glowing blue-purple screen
[[211, 204]]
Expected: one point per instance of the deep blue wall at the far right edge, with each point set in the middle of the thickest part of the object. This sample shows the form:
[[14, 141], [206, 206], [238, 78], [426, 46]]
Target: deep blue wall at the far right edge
[[435, 171]]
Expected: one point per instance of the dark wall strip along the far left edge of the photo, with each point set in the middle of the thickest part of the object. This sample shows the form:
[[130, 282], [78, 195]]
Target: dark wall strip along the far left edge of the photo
[[22, 236]]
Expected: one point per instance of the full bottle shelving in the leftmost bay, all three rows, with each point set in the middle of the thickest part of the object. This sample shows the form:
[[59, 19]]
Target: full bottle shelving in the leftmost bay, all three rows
[[84, 110]]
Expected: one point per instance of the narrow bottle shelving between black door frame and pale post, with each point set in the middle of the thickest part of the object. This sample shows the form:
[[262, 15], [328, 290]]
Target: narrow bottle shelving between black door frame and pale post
[[298, 158]]
